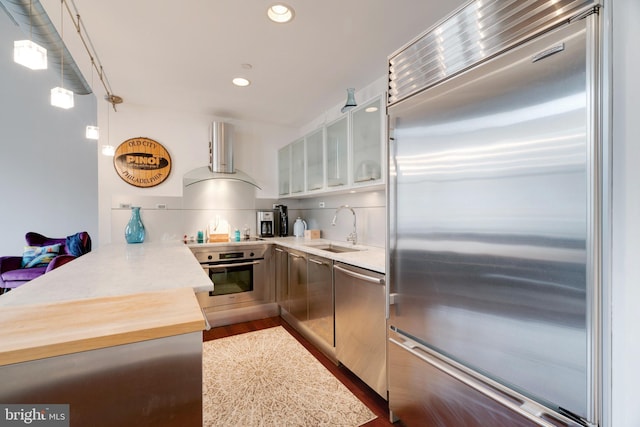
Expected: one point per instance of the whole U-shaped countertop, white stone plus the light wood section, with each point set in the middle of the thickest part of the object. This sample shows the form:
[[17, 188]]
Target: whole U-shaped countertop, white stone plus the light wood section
[[121, 293]]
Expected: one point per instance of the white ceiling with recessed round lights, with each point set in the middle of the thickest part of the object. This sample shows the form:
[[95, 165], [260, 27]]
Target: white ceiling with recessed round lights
[[183, 55]]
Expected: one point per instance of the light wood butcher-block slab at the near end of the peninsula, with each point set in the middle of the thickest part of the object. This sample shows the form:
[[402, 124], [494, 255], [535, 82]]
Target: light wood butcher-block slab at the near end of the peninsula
[[47, 330]]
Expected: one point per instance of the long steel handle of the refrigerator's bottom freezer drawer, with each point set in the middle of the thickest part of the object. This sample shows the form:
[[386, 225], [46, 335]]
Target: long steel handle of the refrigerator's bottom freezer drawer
[[519, 404]]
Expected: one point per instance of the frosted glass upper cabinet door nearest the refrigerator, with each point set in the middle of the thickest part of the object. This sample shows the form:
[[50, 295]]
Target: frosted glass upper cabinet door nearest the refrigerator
[[366, 141]]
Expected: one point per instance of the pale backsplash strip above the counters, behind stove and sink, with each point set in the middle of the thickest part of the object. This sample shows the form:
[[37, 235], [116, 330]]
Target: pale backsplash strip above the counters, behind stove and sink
[[170, 218]]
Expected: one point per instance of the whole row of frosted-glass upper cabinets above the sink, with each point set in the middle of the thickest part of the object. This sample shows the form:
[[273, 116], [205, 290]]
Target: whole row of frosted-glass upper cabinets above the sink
[[345, 154]]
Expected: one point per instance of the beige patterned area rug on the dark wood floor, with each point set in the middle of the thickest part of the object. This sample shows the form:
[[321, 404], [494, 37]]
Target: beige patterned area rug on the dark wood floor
[[267, 378]]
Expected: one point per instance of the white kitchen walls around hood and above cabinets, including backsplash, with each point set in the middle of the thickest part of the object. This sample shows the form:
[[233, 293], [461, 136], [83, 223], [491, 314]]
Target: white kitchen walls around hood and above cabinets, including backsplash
[[185, 136]]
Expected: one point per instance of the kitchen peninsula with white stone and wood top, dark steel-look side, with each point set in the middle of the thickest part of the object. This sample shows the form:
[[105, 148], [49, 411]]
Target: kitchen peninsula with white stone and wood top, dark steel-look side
[[116, 334]]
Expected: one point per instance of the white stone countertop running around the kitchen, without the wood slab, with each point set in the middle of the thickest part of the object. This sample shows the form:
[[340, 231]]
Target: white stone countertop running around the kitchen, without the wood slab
[[121, 269]]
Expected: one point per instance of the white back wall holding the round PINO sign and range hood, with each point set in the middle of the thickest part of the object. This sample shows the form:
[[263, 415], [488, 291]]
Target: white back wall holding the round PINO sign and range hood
[[185, 135]]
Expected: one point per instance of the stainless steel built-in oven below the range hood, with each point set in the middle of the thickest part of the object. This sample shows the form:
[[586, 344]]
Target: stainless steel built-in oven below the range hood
[[238, 273]]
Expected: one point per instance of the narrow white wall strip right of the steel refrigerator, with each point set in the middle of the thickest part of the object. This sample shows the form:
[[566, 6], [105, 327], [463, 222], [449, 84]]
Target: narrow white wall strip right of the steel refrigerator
[[625, 288]]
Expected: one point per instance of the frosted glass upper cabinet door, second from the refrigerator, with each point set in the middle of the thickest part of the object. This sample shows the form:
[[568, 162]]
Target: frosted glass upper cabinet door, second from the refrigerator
[[337, 152]]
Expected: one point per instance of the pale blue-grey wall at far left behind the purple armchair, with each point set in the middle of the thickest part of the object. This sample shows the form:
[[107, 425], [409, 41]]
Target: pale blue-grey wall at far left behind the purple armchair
[[47, 167]]
